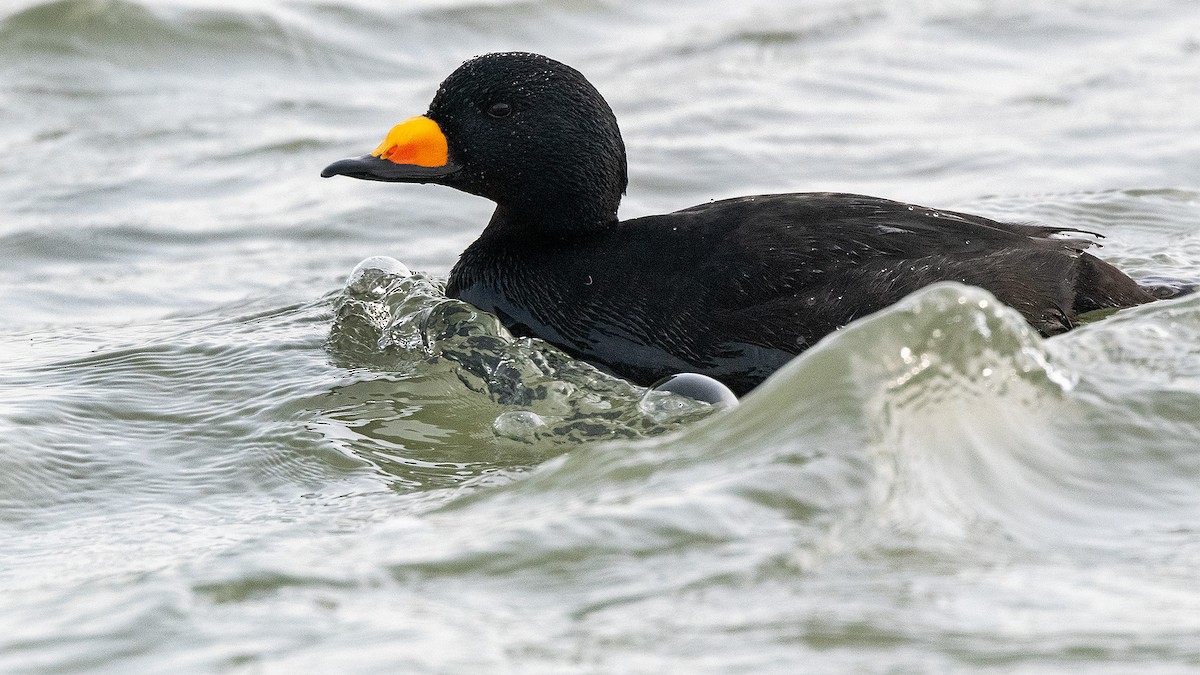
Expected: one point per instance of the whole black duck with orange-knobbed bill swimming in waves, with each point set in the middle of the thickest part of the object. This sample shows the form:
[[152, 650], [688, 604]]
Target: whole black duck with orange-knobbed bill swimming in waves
[[730, 290]]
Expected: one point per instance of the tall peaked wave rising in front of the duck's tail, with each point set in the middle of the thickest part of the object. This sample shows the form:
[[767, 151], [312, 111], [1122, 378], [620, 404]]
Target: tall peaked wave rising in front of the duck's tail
[[943, 426]]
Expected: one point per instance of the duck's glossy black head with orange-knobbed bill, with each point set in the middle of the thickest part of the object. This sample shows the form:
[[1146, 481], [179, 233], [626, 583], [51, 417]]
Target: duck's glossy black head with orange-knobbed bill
[[526, 132]]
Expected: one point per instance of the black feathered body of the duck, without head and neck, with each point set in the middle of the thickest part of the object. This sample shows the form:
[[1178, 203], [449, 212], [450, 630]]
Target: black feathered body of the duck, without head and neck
[[735, 289]]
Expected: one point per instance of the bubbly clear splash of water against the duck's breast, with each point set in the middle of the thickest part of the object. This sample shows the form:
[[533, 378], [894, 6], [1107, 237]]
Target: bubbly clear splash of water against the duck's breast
[[403, 324]]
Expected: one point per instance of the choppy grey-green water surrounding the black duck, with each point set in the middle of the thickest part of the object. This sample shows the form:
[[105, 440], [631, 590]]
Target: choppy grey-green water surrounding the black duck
[[220, 457]]
